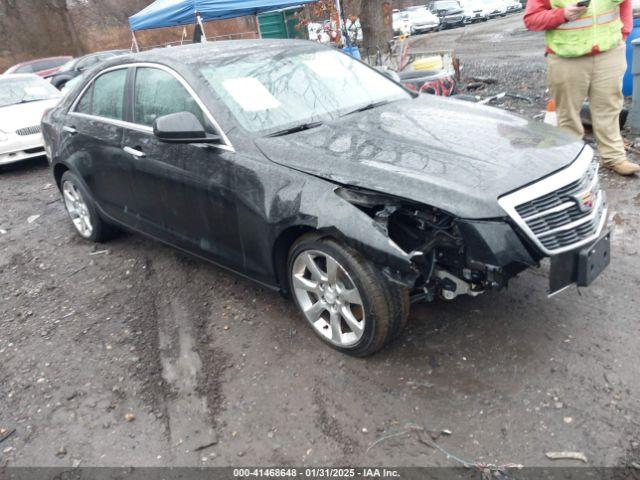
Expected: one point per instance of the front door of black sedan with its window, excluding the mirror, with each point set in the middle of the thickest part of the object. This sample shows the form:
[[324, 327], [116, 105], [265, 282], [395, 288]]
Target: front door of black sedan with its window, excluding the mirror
[[185, 192]]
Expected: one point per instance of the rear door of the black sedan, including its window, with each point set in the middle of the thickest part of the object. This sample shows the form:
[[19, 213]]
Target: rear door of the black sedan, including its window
[[93, 132]]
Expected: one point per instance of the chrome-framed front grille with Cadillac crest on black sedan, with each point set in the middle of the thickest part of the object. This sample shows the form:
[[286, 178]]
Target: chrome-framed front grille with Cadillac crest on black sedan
[[563, 211]]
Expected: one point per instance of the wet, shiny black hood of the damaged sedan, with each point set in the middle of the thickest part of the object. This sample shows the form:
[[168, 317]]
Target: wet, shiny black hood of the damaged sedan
[[453, 155]]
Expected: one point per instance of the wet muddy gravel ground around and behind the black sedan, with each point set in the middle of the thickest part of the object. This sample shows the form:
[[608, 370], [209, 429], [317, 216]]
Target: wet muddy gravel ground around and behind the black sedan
[[129, 353]]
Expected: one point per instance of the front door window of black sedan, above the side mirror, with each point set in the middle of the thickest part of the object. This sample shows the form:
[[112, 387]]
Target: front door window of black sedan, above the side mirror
[[159, 93]]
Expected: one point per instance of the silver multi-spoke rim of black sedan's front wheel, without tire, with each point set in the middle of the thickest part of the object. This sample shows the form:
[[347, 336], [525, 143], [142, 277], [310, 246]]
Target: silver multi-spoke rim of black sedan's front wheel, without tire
[[328, 297]]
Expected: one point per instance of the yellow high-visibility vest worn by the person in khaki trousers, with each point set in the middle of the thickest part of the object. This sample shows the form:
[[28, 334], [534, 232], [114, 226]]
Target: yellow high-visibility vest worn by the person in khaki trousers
[[599, 30]]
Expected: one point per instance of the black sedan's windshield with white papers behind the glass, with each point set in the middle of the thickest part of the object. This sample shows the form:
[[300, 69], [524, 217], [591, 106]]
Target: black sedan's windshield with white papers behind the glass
[[267, 94]]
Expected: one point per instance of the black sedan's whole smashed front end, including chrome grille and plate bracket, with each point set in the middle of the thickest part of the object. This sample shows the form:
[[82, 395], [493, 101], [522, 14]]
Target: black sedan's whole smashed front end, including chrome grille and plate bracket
[[561, 217]]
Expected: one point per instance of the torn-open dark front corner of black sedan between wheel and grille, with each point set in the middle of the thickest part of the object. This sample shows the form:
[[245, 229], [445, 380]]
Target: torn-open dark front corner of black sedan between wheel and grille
[[434, 254]]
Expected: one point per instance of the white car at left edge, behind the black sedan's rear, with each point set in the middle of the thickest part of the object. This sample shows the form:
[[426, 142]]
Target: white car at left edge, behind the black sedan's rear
[[23, 100]]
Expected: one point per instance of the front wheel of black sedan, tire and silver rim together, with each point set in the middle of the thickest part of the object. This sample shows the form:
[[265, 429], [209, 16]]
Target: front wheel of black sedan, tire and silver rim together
[[344, 297]]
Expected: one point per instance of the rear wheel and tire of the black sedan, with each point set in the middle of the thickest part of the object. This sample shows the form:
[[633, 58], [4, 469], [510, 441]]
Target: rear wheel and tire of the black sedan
[[82, 211]]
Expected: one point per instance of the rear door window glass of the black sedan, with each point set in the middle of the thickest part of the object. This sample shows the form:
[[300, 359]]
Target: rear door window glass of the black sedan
[[105, 97]]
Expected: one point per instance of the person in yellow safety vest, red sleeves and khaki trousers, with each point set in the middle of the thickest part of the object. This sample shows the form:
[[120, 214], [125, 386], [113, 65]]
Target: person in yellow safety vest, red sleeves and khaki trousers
[[586, 59]]
